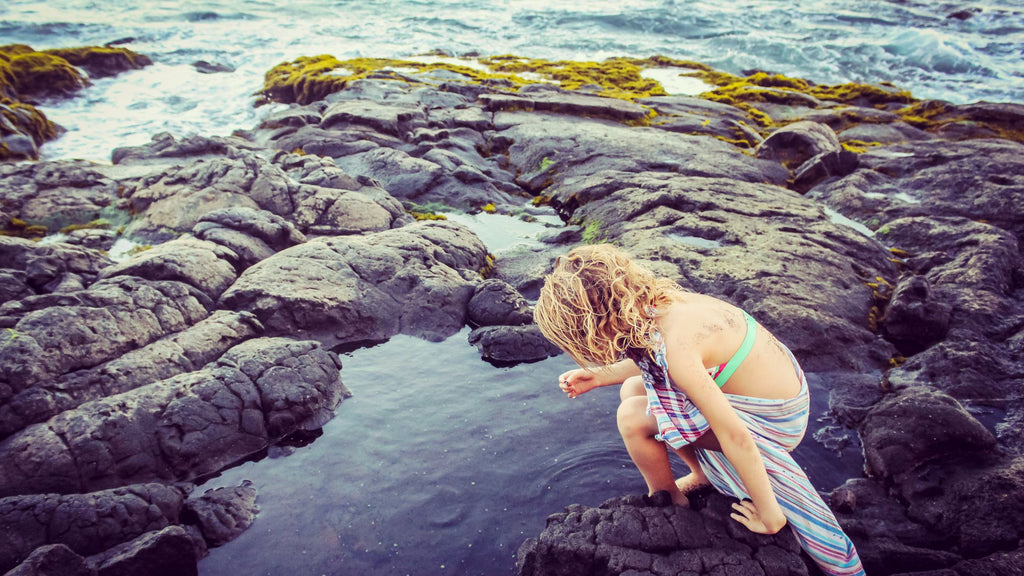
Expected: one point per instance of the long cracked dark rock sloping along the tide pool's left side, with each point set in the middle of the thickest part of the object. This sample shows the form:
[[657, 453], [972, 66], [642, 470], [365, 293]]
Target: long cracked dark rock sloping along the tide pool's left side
[[181, 428]]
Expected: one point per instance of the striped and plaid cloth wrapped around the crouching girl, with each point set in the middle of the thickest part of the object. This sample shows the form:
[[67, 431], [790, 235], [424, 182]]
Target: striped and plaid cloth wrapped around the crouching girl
[[778, 427]]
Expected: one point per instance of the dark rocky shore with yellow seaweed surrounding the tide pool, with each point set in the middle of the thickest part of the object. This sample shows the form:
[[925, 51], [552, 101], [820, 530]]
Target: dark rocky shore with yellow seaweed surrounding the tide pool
[[878, 235]]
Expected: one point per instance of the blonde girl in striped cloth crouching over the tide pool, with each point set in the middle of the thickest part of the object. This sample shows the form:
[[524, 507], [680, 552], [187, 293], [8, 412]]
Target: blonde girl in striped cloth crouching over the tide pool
[[698, 375]]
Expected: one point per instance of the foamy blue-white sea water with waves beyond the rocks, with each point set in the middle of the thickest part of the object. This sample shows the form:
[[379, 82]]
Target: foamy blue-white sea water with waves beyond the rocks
[[957, 52]]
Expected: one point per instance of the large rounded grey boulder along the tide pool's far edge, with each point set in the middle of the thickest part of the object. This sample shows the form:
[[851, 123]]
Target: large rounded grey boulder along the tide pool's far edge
[[415, 280]]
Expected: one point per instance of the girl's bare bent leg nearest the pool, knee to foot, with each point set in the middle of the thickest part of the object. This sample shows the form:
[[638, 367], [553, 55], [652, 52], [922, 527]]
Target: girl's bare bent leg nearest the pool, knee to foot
[[650, 456]]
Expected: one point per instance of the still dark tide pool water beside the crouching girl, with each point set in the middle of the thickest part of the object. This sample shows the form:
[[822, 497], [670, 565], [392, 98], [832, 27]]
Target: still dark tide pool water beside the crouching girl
[[442, 464]]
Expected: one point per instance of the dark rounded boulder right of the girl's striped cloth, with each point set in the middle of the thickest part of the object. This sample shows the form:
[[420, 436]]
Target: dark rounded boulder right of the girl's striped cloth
[[919, 426]]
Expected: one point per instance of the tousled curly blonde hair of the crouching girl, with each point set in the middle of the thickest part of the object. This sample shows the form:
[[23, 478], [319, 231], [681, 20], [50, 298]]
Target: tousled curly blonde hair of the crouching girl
[[598, 304]]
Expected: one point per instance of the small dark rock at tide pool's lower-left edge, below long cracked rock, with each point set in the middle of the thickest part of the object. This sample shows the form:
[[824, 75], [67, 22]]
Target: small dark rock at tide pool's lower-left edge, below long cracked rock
[[224, 514]]
